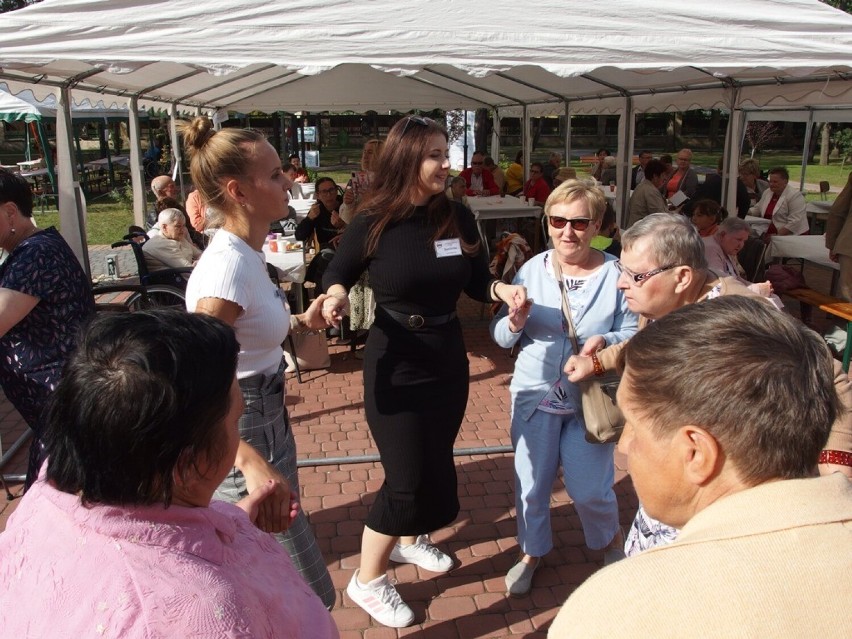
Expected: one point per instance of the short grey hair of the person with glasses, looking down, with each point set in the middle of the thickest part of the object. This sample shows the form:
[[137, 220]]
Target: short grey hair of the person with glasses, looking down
[[674, 240]]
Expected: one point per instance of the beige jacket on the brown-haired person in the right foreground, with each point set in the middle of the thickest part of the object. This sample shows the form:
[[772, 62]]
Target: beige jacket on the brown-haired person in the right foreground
[[769, 561]]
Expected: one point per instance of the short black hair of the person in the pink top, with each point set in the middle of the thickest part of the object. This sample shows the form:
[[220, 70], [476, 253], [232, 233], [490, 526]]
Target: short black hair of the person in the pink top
[[144, 391]]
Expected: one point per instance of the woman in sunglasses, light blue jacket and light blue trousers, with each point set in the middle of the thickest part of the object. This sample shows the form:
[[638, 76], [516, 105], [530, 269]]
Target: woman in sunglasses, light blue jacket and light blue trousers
[[547, 420]]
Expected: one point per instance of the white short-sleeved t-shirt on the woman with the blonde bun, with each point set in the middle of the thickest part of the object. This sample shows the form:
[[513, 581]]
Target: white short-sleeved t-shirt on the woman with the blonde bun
[[231, 270]]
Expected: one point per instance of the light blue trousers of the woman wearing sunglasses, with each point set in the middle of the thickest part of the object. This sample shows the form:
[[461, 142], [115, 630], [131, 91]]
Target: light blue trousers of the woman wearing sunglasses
[[541, 445]]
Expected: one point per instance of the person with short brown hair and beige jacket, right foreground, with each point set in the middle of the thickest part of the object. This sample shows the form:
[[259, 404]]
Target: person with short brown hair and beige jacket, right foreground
[[727, 405]]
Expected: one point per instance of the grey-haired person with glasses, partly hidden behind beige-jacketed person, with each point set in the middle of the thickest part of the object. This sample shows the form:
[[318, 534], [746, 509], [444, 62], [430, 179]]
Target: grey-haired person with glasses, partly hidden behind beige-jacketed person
[[663, 268]]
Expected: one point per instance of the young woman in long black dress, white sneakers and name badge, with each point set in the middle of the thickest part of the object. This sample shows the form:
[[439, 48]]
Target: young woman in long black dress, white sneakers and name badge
[[421, 251]]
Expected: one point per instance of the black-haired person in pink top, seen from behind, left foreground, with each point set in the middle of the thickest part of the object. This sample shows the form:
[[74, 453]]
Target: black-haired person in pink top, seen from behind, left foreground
[[118, 537]]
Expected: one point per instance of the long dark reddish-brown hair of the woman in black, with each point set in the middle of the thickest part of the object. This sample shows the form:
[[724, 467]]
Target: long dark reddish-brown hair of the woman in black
[[398, 179]]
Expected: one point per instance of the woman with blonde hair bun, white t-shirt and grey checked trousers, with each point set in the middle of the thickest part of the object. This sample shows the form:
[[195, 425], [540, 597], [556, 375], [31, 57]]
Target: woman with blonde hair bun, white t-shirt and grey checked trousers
[[240, 177]]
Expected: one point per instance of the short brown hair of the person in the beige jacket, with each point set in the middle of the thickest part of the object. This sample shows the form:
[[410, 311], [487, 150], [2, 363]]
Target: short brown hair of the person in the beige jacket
[[773, 422]]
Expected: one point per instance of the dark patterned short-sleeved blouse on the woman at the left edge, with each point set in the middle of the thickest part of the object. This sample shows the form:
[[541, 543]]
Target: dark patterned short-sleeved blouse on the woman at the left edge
[[33, 352]]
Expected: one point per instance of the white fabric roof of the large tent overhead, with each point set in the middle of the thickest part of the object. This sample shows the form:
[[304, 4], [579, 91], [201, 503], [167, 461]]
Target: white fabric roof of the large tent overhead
[[306, 55]]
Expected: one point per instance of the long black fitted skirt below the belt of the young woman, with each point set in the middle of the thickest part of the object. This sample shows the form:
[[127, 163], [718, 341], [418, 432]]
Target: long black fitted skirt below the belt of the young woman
[[415, 394]]
